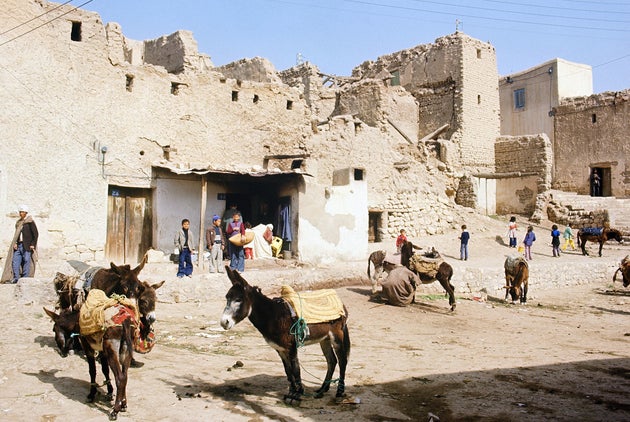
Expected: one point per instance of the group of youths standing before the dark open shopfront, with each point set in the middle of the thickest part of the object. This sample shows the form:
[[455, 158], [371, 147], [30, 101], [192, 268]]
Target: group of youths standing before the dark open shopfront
[[218, 243]]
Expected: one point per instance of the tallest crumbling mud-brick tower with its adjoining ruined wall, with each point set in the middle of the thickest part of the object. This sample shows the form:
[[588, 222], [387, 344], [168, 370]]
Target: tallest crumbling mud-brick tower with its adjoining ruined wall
[[455, 82]]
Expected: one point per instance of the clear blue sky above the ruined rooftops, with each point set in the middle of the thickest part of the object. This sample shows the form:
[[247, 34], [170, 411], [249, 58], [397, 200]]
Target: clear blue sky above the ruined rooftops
[[337, 35]]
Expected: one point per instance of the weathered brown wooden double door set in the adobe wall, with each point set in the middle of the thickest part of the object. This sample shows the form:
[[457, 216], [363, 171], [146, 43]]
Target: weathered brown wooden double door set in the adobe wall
[[129, 224]]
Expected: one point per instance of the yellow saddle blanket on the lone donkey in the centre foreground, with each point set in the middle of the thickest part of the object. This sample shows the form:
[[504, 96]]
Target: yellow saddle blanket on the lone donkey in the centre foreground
[[314, 306]]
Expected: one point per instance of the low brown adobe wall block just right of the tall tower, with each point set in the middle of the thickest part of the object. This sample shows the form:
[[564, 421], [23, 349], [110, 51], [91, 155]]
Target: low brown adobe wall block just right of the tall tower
[[525, 162]]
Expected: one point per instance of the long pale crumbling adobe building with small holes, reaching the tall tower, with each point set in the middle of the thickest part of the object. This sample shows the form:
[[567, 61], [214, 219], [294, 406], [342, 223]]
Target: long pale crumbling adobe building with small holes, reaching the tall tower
[[92, 109]]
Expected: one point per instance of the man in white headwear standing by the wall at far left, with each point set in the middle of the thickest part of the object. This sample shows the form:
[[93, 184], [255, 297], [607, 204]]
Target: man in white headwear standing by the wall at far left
[[22, 253]]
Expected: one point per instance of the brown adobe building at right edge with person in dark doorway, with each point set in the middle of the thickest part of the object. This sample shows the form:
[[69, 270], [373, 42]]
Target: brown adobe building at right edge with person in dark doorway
[[593, 131]]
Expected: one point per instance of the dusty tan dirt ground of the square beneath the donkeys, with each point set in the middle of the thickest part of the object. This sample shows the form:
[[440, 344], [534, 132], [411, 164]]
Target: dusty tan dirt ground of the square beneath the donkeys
[[564, 356]]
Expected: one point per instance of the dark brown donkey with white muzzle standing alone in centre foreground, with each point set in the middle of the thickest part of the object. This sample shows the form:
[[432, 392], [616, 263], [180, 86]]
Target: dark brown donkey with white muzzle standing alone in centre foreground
[[273, 319]]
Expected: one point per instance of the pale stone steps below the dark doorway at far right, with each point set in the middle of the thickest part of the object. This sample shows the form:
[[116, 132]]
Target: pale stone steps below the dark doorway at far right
[[579, 205]]
